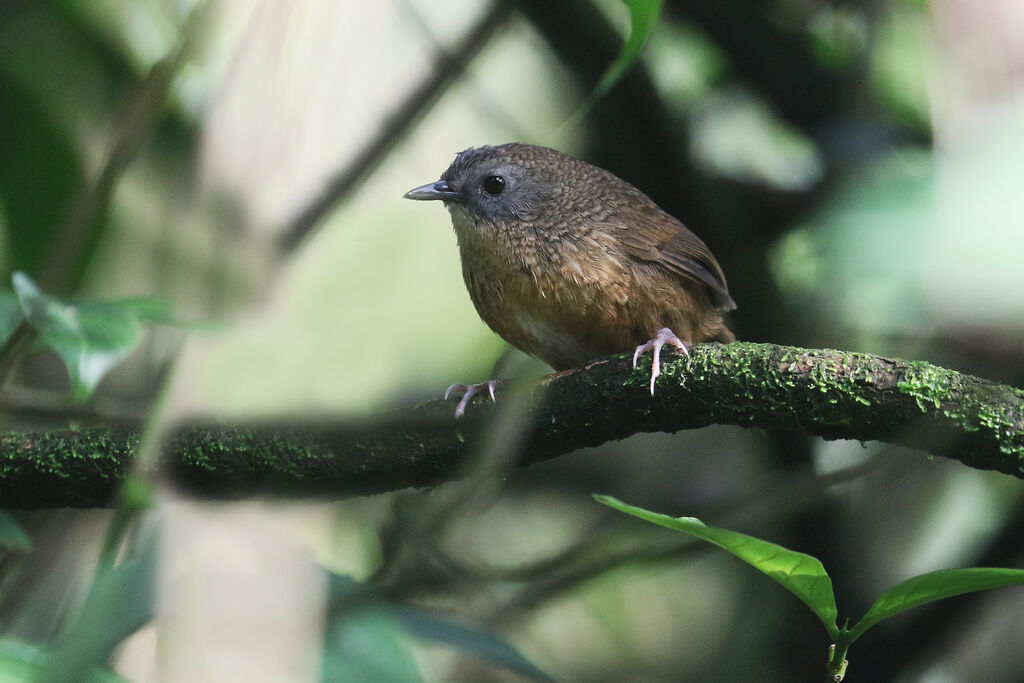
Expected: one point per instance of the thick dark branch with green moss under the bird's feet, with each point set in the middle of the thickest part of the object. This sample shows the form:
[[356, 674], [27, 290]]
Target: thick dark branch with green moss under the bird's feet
[[834, 395]]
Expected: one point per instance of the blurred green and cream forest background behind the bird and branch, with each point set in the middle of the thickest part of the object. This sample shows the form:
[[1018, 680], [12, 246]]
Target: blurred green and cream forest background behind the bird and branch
[[856, 168]]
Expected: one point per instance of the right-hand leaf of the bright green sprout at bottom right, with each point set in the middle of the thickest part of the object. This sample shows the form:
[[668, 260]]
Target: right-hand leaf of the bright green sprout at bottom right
[[934, 586]]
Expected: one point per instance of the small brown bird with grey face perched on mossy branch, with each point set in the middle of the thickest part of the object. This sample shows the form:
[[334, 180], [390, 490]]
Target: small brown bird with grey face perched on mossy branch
[[569, 263]]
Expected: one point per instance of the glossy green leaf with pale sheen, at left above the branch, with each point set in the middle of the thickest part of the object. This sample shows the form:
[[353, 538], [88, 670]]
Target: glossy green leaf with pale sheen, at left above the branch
[[91, 338]]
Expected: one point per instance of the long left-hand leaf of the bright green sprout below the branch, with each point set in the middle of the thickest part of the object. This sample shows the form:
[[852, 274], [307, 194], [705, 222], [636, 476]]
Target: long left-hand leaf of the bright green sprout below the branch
[[800, 574]]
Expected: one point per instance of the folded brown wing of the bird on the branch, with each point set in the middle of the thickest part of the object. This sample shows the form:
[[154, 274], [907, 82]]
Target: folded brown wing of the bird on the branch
[[653, 236]]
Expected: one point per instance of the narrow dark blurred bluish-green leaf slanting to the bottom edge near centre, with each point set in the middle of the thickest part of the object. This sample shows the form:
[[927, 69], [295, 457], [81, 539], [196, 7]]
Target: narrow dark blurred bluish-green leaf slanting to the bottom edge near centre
[[471, 641]]
